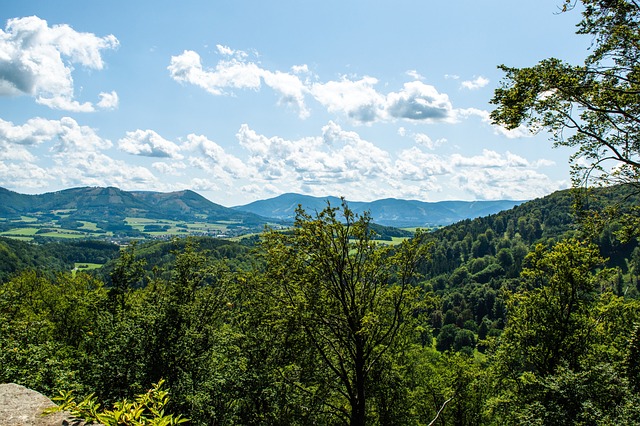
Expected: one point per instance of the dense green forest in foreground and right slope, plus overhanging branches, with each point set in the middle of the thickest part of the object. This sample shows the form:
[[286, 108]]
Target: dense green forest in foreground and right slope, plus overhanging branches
[[529, 316]]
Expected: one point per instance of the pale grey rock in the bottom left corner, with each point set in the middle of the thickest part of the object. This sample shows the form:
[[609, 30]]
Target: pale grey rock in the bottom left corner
[[20, 406]]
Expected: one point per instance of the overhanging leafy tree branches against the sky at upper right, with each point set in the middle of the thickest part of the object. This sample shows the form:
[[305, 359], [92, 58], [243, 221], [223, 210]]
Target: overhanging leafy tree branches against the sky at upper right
[[594, 107]]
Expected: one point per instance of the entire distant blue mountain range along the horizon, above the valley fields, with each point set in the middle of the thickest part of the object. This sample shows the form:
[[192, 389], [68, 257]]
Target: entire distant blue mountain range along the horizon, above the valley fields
[[113, 204]]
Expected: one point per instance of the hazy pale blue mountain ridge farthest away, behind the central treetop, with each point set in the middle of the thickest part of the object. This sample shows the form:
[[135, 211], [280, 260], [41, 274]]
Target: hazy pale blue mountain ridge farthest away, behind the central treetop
[[388, 212]]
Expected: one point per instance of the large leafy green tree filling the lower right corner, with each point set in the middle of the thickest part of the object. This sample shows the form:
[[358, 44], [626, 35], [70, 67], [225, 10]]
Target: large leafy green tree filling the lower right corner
[[564, 354]]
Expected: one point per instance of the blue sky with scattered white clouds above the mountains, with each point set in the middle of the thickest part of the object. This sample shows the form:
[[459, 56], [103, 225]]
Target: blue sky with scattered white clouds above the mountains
[[242, 100]]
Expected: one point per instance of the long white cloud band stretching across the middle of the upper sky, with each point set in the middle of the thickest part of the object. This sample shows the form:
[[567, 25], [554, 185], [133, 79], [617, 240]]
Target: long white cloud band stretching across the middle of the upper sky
[[353, 97]]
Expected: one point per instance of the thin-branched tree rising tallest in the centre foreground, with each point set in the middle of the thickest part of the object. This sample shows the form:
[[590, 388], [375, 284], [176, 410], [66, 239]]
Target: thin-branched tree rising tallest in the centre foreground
[[352, 297]]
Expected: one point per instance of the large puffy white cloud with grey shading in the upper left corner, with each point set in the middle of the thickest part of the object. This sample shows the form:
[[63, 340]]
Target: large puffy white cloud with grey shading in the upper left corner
[[37, 60]]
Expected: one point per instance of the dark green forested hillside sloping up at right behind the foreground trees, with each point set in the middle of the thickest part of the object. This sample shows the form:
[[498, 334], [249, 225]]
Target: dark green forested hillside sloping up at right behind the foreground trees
[[506, 237]]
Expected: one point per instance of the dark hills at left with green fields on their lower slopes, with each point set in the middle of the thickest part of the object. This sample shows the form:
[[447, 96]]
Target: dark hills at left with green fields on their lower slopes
[[94, 212]]
